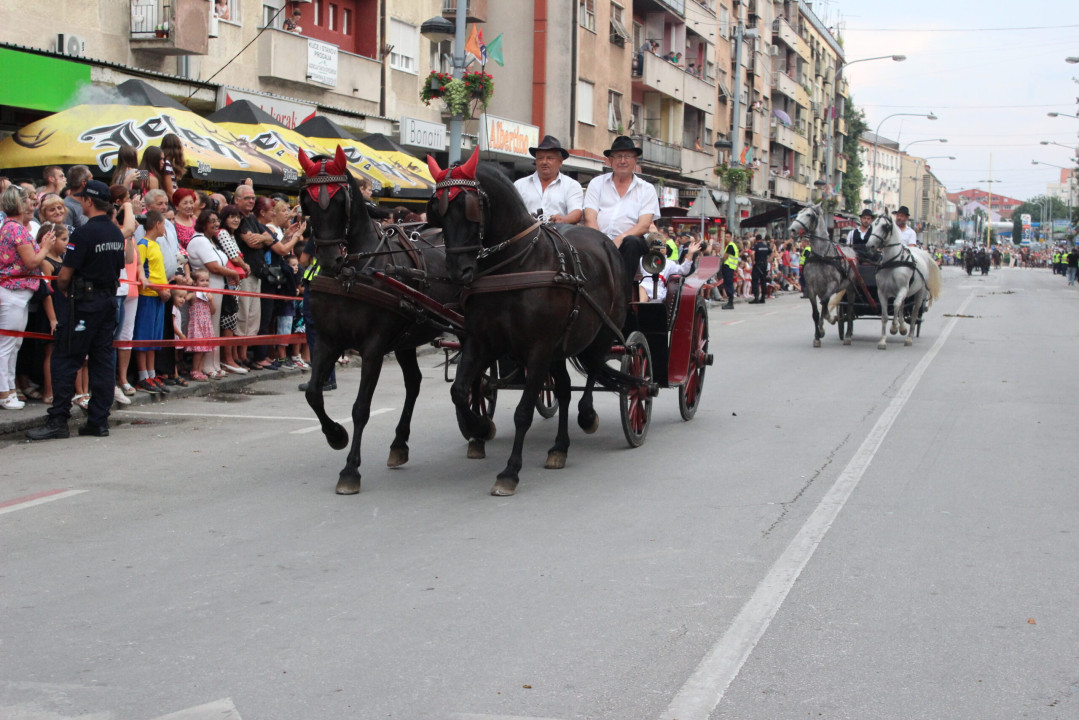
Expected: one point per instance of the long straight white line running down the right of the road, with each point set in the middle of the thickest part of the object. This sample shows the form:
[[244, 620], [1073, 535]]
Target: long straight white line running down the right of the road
[[703, 692]]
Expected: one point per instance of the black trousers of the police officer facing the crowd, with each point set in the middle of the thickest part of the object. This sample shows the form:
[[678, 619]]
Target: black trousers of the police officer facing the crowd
[[87, 334]]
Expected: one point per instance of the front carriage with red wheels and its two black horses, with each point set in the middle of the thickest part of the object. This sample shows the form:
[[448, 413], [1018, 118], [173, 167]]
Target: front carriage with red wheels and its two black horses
[[524, 297]]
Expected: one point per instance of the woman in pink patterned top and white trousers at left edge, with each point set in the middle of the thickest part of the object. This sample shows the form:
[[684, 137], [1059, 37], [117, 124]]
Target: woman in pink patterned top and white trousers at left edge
[[20, 256]]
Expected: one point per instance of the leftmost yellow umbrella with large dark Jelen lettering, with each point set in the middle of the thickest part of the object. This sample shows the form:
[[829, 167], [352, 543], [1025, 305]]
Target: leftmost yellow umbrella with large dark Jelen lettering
[[92, 134]]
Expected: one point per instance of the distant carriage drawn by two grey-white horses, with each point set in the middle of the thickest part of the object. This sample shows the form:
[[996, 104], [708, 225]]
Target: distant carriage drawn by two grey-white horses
[[900, 283]]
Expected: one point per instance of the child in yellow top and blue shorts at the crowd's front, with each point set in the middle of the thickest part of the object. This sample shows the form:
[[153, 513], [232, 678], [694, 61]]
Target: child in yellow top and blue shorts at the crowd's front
[[151, 318]]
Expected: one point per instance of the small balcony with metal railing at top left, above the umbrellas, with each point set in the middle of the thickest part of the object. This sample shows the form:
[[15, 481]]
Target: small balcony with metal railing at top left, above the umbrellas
[[171, 28]]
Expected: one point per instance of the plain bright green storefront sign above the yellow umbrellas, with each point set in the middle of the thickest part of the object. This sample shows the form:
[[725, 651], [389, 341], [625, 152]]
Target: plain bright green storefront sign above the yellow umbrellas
[[40, 83]]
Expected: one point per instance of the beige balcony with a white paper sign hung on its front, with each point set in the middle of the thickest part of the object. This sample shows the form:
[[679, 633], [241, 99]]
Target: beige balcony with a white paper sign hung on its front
[[284, 57]]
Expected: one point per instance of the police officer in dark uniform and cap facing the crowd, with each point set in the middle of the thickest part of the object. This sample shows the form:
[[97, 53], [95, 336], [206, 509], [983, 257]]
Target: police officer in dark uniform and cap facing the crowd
[[87, 317]]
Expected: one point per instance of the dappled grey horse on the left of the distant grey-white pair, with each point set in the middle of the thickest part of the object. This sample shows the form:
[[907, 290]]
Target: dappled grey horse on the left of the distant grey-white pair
[[828, 274]]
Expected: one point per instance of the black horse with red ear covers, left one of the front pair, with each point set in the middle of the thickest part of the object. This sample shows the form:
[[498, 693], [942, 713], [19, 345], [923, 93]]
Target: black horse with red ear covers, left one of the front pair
[[354, 311]]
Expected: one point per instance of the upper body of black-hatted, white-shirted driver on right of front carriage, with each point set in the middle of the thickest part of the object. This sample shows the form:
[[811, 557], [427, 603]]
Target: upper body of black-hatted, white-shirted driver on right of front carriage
[[620, 203]]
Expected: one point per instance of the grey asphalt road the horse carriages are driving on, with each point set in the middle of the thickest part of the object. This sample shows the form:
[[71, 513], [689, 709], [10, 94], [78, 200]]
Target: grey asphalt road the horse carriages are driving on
[[841, 533]]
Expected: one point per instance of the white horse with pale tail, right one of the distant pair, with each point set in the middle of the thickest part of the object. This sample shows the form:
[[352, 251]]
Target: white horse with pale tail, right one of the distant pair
[[906, 274]]
